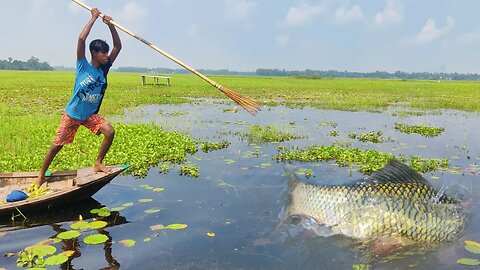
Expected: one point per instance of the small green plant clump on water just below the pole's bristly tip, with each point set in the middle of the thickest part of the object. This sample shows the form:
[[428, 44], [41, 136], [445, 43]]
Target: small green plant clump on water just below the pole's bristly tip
[[268, 134]]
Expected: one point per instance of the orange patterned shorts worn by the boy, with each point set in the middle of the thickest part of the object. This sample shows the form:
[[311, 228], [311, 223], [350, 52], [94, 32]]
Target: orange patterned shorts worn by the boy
[[69, 126]]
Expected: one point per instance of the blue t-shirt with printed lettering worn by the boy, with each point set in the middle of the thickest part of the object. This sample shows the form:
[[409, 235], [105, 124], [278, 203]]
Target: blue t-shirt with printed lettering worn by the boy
[[88, 91]]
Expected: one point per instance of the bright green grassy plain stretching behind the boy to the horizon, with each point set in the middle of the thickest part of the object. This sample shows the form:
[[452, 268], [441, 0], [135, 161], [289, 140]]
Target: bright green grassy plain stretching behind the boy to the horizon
[[31, 104]]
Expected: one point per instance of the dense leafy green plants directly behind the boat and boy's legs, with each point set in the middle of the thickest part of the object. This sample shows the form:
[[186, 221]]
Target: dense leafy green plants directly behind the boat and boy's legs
[[142, 145]]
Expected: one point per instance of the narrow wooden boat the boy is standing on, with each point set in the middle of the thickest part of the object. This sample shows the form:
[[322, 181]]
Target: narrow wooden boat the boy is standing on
[[65, 187]]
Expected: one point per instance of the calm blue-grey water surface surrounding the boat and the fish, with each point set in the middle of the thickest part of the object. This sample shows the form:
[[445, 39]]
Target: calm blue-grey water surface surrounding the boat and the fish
[[239, 197]]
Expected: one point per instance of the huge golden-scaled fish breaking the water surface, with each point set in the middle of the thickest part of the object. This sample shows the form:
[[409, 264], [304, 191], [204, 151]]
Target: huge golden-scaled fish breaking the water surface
[[393, 202]]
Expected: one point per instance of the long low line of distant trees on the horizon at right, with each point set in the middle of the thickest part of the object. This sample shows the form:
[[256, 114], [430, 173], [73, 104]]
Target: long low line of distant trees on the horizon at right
[[377, 74]]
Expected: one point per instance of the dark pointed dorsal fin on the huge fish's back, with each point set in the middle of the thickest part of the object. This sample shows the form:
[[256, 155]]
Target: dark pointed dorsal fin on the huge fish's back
[[397, 172]]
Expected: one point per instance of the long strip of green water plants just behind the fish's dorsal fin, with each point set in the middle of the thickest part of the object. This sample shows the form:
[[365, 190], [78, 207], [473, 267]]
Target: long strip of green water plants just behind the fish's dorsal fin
[[368, 161]]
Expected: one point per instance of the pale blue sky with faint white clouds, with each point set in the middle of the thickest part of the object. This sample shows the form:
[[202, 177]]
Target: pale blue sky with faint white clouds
[[243, 35]]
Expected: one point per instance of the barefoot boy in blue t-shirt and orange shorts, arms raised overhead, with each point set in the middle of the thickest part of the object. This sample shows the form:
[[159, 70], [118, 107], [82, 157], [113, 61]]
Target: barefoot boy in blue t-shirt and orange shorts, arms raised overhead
[[88, 91]]
